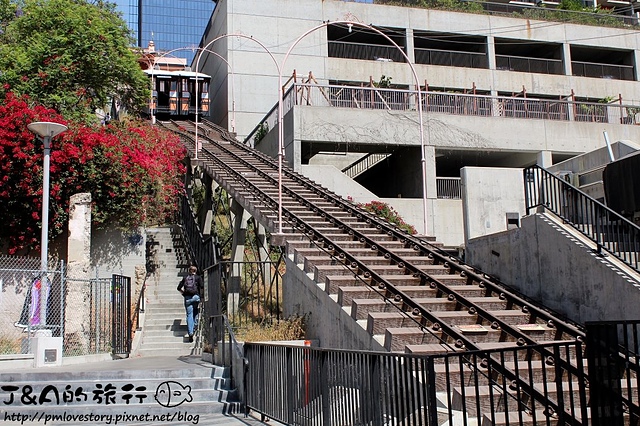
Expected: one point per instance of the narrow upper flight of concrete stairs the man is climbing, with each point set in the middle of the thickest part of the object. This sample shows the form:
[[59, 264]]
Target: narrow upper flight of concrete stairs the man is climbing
[[165, 324]]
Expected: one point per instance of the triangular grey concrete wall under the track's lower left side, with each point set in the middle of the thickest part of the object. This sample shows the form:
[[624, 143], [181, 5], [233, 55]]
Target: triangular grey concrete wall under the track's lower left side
[[325, 321]]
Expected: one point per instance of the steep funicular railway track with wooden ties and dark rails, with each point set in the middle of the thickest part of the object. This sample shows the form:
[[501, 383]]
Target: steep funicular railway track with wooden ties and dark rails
[[416, 297]]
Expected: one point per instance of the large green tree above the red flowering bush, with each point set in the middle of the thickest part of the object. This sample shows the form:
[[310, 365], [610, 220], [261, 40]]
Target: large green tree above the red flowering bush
[[70, 55]]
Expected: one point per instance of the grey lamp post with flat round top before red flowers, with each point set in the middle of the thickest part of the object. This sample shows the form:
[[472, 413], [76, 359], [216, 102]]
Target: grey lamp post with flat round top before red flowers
[[45, 130]]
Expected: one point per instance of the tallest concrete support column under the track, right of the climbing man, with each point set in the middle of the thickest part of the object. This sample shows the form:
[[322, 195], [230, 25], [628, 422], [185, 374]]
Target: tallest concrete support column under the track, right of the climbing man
[[240, 218]]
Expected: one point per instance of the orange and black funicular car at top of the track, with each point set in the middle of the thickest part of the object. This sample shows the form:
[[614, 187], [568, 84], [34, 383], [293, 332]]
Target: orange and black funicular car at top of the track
[[174, 93]]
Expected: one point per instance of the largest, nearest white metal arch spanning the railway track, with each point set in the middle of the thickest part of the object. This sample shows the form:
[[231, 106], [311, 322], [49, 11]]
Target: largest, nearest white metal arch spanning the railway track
[[350, 24]]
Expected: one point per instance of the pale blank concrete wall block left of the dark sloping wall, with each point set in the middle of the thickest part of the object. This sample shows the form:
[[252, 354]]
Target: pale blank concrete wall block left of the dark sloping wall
[[487, 195]]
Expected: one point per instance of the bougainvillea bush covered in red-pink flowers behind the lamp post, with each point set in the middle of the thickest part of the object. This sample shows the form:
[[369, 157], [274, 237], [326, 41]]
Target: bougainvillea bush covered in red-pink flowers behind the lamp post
[[132, 170]]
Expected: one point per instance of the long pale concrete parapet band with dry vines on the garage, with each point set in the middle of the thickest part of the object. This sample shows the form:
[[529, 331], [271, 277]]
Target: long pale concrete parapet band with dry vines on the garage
[[443, 131]]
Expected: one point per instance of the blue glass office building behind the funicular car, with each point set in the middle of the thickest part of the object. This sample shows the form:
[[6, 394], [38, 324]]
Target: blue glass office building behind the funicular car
[[171, 24]]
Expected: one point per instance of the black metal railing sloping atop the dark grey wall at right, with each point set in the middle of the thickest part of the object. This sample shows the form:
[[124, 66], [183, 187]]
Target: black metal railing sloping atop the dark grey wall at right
[[609, 230]]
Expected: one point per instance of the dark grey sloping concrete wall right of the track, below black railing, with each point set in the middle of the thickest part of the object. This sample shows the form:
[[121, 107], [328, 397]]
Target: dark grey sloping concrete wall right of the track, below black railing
[[551, 265]]
